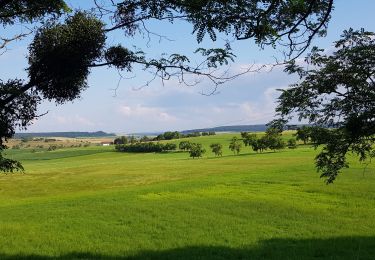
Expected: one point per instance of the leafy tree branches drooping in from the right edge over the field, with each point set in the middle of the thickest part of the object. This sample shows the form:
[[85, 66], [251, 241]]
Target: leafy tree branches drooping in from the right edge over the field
[[338, 91]]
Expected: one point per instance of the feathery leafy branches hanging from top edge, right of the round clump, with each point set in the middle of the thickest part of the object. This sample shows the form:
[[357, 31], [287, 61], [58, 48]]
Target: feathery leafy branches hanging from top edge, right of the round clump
[[268, 22]]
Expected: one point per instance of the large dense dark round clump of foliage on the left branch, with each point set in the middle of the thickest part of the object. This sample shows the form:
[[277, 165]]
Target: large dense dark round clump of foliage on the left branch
[[61, 54]]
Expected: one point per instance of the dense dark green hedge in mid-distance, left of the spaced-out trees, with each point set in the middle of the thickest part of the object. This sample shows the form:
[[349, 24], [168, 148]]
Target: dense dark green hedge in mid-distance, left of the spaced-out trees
[[148, 147]]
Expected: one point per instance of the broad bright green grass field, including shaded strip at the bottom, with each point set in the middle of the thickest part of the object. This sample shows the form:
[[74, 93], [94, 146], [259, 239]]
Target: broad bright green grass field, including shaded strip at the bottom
[[94, 203]]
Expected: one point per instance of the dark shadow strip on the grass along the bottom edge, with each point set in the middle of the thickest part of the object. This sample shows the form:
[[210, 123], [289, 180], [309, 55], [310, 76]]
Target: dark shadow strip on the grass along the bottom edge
[[333, 248]]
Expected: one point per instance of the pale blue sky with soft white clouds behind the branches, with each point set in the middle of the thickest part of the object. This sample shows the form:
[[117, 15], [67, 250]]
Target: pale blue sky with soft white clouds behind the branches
[[135, 108]]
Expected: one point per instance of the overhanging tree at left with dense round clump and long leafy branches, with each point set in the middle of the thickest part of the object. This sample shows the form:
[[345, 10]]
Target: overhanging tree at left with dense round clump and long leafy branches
[[64, 51]]
